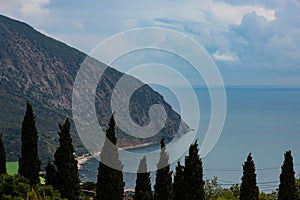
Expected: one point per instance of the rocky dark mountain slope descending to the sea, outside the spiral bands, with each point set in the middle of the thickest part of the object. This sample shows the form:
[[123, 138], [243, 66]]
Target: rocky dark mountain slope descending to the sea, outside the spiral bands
[[42, 70]]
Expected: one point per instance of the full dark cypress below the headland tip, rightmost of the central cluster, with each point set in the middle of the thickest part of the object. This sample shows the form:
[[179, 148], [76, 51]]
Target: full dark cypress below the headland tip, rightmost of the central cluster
[[193, 174]]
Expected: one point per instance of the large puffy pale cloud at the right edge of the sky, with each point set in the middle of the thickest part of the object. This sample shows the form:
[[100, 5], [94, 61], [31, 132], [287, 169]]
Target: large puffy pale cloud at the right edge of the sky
[[263, 44]]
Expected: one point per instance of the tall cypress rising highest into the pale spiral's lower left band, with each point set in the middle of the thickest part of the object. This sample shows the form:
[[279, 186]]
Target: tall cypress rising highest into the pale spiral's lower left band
[[110, 184]]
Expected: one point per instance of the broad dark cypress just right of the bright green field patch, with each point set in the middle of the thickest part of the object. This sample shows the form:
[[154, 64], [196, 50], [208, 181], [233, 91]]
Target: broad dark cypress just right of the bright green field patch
[[67, 177]]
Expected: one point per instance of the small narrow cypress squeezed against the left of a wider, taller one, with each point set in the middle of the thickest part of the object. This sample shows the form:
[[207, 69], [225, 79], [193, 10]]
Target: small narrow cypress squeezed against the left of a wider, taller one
[[179, 184]]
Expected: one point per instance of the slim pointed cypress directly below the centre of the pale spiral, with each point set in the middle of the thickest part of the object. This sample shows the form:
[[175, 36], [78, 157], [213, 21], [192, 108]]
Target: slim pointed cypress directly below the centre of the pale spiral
[[163, 182]]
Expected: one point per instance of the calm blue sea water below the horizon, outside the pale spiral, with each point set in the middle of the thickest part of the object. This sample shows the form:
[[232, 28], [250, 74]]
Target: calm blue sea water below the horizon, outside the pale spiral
[[263, 121]]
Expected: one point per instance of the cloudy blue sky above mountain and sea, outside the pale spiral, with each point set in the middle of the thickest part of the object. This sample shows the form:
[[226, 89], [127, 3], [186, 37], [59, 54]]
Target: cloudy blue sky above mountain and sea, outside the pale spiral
[[253, 43]]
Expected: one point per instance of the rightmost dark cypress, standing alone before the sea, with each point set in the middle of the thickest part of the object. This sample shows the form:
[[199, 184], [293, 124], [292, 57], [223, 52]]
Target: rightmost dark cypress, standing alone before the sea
[[287, 186]]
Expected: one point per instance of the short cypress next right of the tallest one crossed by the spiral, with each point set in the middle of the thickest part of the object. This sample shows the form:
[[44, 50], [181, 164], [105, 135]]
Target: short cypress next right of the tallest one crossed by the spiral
[[143, 183]]
